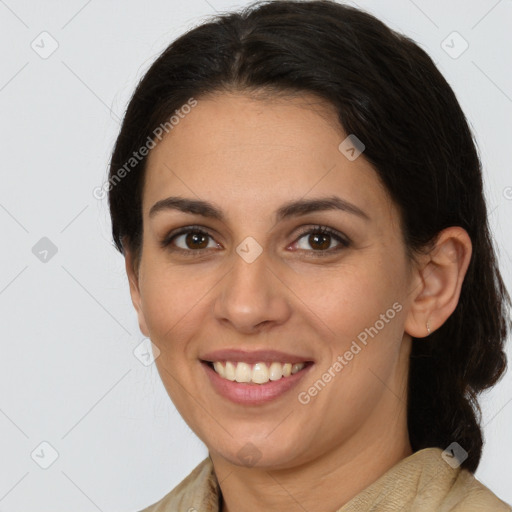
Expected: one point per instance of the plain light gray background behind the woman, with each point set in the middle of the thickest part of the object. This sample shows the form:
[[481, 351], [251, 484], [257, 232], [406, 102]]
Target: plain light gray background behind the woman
[[68, 374]]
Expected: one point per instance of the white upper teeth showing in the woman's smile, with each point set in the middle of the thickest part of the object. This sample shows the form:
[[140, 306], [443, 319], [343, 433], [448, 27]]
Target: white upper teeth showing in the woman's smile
[[259, 373]]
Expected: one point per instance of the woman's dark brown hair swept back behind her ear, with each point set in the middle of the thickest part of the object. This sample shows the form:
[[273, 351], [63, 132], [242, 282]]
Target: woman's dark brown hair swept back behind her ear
[[388, 92]]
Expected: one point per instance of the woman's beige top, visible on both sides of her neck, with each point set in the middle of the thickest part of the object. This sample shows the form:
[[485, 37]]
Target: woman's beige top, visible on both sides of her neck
[[422, 482]]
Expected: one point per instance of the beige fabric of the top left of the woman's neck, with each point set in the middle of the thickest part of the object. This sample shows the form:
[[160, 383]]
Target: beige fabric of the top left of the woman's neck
[[197, 492]]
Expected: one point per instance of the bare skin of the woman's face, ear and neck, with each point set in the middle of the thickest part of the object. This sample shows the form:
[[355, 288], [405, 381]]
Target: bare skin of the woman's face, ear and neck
[[248, 157]]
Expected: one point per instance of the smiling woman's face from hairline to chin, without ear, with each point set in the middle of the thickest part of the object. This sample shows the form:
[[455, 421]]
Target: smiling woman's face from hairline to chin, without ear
[[259, 283]]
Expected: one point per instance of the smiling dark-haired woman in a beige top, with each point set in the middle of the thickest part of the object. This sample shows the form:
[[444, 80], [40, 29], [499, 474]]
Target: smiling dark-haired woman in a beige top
[[299, 201]]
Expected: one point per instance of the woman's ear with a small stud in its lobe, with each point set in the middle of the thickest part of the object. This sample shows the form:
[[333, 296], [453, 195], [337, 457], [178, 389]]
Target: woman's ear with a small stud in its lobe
[[437, 281]]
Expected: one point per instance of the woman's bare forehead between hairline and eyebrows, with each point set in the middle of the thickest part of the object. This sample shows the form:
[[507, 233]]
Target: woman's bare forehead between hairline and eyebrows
[[233, 149]]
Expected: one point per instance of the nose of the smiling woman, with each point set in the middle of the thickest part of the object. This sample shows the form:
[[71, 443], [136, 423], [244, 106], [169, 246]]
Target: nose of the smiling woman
[[251, 297]]
